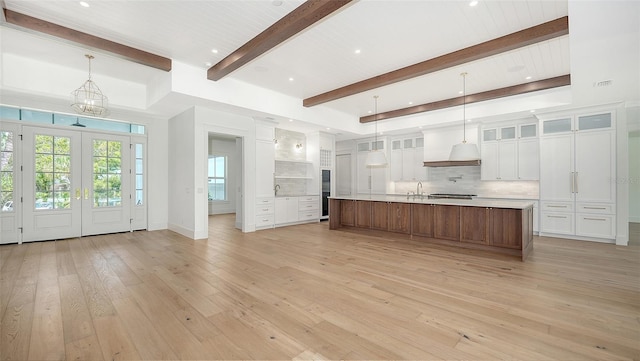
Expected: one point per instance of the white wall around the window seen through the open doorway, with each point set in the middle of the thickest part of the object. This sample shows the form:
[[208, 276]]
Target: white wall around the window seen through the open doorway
[[226, 147]]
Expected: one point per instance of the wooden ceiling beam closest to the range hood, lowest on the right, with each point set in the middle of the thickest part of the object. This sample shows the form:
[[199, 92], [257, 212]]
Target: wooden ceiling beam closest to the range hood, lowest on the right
[[473, 98]]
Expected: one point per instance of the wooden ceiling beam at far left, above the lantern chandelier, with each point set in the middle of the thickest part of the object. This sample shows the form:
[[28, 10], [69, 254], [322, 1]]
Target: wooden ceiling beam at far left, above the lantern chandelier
[[93, 42]]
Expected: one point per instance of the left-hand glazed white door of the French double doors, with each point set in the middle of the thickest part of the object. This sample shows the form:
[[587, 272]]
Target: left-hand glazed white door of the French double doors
[[52, 181]]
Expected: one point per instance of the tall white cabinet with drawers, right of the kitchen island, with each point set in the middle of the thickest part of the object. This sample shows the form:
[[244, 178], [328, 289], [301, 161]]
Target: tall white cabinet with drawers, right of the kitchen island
[[577, 176]]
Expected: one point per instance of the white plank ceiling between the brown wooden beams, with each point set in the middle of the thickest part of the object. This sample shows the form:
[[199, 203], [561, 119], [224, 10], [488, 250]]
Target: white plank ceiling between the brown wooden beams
[[390, 34]]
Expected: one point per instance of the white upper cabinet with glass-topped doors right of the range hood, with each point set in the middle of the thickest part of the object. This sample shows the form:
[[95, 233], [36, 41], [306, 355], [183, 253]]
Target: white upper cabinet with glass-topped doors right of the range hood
[[509, 152]]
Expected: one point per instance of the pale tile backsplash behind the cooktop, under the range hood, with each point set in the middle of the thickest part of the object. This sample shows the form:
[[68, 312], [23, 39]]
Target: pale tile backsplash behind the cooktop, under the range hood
[[466, 180]]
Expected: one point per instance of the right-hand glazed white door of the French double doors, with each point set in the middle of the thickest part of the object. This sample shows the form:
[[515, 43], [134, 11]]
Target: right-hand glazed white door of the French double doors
[[106, 184]]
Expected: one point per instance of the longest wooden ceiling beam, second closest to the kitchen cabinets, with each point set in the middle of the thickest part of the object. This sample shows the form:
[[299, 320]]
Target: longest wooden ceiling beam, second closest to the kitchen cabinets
[[535, 34]]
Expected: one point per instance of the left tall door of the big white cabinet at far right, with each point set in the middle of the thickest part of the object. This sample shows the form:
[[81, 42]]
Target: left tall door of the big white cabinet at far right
[[556, 167]]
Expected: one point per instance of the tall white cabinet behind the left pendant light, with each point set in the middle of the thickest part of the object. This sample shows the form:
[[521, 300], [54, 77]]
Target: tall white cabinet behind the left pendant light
[[370, 179]]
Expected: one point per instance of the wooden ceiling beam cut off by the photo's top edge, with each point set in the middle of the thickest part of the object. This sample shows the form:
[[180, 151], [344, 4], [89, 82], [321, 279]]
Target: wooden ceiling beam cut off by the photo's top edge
[[299, 19]]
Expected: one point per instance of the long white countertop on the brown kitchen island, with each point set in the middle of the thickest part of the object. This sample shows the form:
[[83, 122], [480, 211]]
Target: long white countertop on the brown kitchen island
[[489, 203]]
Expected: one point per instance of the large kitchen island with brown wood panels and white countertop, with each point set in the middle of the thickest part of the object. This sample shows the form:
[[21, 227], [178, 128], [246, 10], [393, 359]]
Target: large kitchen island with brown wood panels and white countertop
[[497, 225]]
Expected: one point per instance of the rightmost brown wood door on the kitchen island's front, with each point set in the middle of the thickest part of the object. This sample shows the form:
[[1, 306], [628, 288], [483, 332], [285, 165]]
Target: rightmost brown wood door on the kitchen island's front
[[505, 229]]
